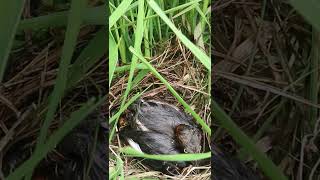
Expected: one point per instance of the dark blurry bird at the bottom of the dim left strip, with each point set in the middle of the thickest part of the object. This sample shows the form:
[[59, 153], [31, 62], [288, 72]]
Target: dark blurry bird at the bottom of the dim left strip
[[84, 145]]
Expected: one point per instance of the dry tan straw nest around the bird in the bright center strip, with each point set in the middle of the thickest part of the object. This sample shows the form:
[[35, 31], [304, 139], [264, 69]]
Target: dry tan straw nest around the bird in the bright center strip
[[189, 78]]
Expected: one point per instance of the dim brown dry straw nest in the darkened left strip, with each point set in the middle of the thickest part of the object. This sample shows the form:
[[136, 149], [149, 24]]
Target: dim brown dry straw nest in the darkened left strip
[[28, 83]]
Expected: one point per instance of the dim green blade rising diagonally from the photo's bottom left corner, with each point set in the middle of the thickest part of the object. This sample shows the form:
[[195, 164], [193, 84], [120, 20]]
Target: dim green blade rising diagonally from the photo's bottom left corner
[[75, 118]]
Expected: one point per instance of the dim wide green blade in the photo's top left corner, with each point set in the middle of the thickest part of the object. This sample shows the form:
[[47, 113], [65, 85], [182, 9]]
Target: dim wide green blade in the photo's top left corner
[[10, 14]]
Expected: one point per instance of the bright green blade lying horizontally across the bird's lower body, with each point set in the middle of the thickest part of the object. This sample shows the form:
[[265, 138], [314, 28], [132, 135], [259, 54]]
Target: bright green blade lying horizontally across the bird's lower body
[[170, 157]]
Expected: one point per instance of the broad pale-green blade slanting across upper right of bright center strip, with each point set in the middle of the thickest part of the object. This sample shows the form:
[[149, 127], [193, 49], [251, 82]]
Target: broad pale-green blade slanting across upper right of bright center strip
[[196, 51]]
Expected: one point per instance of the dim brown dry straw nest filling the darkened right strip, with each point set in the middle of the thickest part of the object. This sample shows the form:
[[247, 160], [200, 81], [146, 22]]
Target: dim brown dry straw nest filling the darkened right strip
[[256, 58]]
